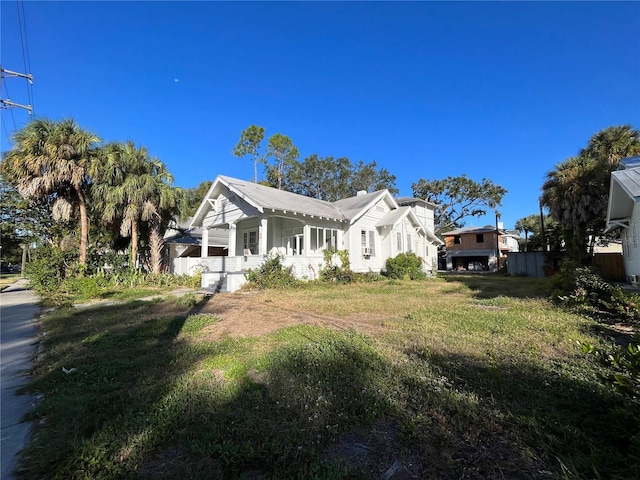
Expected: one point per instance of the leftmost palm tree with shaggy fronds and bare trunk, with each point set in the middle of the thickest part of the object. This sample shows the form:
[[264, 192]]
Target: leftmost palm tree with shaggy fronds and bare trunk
[[52, 161]]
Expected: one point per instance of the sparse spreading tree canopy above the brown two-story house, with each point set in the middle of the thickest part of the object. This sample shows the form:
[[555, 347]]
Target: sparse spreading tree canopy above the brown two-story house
[[457, 198]]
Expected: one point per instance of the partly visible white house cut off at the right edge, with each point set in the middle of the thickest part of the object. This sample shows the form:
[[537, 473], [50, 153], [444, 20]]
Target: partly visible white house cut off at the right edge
[[623, 212]]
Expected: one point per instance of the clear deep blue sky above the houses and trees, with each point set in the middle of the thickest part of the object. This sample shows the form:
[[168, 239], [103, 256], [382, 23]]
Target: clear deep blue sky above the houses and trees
[[502, 90]]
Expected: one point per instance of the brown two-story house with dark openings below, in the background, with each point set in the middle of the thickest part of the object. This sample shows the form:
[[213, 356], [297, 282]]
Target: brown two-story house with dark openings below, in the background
[[477, 248]]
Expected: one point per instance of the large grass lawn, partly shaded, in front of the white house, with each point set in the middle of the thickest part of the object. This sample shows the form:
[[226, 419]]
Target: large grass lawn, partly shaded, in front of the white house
[[455, 377]]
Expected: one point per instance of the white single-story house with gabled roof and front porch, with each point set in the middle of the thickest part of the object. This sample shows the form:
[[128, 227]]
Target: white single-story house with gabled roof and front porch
[[260, 220]]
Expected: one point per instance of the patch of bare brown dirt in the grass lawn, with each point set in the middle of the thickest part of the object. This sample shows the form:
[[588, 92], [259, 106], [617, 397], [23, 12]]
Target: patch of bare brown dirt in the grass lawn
[[255, 313]]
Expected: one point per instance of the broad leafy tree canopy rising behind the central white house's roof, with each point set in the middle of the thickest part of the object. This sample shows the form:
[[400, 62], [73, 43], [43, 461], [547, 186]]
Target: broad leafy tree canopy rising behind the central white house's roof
[[331, 179]]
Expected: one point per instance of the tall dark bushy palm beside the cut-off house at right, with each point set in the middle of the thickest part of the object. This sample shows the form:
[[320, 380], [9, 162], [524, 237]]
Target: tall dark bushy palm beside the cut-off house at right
[[576, 190]]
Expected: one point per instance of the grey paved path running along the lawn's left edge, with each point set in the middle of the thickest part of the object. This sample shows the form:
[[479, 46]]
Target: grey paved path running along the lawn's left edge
[[18, 333]]
